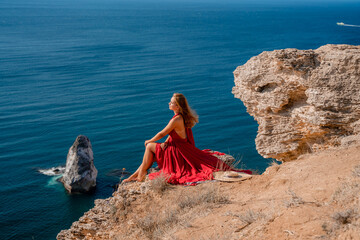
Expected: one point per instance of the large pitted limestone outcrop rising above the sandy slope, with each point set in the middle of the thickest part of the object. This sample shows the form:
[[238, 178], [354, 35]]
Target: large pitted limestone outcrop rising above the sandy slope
[[303, 100]]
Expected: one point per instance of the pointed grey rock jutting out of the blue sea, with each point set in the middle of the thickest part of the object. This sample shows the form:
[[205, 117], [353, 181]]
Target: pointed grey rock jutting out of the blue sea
[[80, 172]]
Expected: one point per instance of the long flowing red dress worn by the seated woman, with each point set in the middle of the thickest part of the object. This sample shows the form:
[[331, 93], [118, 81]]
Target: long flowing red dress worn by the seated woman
[[182, 163]]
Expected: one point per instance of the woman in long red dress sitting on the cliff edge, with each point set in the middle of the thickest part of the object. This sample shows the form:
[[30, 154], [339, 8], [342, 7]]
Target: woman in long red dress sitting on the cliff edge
[[178, 158]]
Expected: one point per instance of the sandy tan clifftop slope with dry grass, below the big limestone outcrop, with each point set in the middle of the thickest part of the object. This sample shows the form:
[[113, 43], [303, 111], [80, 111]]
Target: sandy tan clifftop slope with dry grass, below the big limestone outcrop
[[314, 197]]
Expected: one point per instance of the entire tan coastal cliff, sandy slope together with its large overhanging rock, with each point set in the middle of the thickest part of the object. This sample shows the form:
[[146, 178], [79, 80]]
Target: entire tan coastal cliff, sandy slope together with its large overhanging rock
[[303, 101]]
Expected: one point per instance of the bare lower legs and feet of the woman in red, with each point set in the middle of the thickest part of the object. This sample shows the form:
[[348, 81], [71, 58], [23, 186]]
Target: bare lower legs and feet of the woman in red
[[145, 165]]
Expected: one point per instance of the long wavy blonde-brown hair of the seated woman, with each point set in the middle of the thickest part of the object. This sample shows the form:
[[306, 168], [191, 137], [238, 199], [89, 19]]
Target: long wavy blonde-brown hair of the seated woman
[[189, 115]]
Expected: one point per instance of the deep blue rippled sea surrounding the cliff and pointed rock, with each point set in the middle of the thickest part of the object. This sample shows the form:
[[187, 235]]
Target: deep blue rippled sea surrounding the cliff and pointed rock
[[107, 69]]
